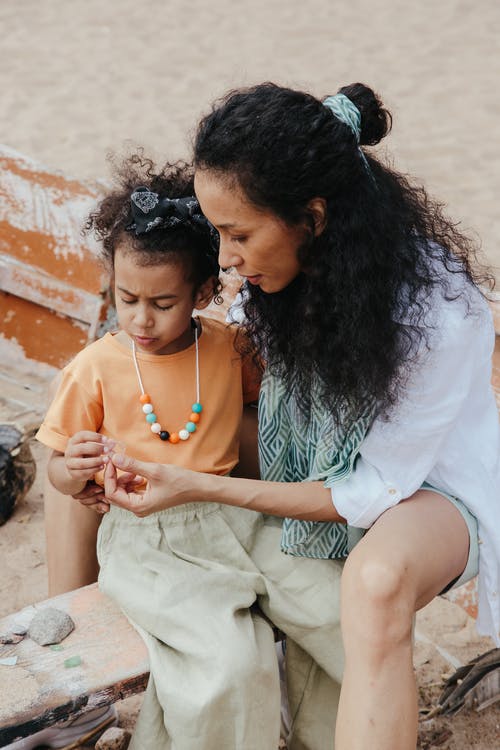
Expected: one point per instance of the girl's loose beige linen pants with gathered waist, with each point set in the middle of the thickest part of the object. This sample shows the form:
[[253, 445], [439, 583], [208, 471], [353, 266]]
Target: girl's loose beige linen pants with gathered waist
[[187, 578]]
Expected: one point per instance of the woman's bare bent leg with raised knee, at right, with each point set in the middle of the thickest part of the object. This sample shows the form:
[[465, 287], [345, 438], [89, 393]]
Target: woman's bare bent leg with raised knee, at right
[[409, 555]]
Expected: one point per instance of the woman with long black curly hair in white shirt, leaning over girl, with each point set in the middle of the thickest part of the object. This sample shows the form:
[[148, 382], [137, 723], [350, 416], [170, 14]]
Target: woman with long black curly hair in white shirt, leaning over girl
[[376, 408]]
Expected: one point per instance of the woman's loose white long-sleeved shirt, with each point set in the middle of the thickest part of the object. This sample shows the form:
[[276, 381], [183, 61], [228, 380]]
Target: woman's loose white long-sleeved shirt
[[444, 431]]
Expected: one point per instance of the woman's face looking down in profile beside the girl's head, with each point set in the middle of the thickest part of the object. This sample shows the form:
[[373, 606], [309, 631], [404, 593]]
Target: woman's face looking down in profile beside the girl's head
[[260, 246]]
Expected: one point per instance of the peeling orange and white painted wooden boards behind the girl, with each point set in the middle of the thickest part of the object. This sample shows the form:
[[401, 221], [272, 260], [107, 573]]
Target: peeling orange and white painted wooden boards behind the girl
[[51, 278]]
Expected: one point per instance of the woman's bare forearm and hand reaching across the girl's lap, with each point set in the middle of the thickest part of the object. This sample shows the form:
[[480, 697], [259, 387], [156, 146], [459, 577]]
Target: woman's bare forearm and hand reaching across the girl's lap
[[171, 485]]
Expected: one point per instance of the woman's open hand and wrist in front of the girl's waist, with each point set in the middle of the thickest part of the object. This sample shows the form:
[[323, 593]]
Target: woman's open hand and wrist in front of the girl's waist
[[166, 487]]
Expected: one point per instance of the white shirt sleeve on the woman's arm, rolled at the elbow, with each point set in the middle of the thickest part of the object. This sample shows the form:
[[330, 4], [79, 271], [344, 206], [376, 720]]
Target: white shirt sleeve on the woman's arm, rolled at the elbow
[[398, 454]]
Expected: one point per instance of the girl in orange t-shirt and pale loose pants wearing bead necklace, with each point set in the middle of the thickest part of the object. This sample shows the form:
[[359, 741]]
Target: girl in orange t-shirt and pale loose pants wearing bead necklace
[[171, 388]]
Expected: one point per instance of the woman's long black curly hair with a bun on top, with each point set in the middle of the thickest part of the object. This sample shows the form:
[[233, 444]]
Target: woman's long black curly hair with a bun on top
[[381, 251]]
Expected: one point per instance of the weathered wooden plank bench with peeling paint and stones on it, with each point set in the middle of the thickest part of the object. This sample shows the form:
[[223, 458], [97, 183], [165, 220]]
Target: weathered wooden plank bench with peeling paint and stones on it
[[39, 690]]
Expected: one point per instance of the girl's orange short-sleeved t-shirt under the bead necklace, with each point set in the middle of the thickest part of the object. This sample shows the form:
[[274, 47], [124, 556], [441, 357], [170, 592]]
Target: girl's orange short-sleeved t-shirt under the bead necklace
[[100, 391]]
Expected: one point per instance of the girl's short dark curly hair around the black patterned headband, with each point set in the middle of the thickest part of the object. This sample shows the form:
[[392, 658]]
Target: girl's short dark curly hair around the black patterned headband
[[111, 220]]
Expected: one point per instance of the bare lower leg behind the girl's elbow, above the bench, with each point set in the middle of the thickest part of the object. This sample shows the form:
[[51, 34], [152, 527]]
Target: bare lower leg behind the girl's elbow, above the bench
[[71, 534]]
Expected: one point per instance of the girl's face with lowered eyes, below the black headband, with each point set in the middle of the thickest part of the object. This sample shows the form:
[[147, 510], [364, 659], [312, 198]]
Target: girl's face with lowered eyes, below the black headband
[[154, 303]]
